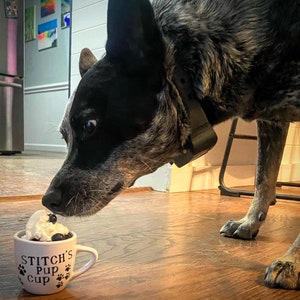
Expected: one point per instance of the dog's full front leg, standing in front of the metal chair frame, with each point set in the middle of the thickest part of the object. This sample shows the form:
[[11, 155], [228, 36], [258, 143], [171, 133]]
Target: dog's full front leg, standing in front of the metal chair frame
[[271, 140]]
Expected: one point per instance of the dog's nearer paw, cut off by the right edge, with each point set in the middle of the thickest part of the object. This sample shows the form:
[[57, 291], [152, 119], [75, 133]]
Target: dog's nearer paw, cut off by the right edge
[[283, 274]]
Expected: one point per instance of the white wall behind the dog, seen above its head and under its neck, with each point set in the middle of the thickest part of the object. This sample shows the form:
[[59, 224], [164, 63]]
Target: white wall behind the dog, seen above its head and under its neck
[[89, 30]]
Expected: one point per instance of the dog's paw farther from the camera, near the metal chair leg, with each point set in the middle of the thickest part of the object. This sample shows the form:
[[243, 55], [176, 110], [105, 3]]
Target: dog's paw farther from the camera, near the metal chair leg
[[239, 230]]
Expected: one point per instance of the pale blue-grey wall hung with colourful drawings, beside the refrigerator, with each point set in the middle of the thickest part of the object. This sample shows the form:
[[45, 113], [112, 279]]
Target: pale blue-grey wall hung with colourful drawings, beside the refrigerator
[[46, 87]]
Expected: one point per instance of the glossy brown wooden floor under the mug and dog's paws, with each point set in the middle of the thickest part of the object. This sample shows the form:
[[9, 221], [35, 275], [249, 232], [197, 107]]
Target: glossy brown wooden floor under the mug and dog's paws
[[162, 246]]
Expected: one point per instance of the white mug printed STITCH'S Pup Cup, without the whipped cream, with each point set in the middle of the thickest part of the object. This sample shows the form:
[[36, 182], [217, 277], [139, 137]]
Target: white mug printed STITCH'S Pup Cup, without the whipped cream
[[47, 267]]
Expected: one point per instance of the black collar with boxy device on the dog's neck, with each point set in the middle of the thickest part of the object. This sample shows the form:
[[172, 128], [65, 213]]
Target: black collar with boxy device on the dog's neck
[[202, 137]]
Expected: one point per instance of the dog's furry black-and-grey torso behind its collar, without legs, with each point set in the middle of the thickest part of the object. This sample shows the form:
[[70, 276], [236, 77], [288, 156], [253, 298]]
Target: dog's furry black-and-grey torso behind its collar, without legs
[[235, 51]]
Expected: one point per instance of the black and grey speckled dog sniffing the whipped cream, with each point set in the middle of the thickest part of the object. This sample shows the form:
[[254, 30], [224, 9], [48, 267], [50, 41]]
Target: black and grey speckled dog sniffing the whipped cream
[[129, 114]]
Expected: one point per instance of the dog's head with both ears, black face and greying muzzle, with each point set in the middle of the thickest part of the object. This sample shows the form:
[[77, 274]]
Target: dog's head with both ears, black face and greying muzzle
[[121, 123]]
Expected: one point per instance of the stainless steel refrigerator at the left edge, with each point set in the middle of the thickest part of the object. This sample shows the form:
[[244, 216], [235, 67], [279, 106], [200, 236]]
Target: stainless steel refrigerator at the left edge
[[11, 77]]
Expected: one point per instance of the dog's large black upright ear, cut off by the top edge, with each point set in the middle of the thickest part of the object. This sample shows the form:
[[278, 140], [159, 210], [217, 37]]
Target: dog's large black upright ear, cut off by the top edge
[[134, 39]]
